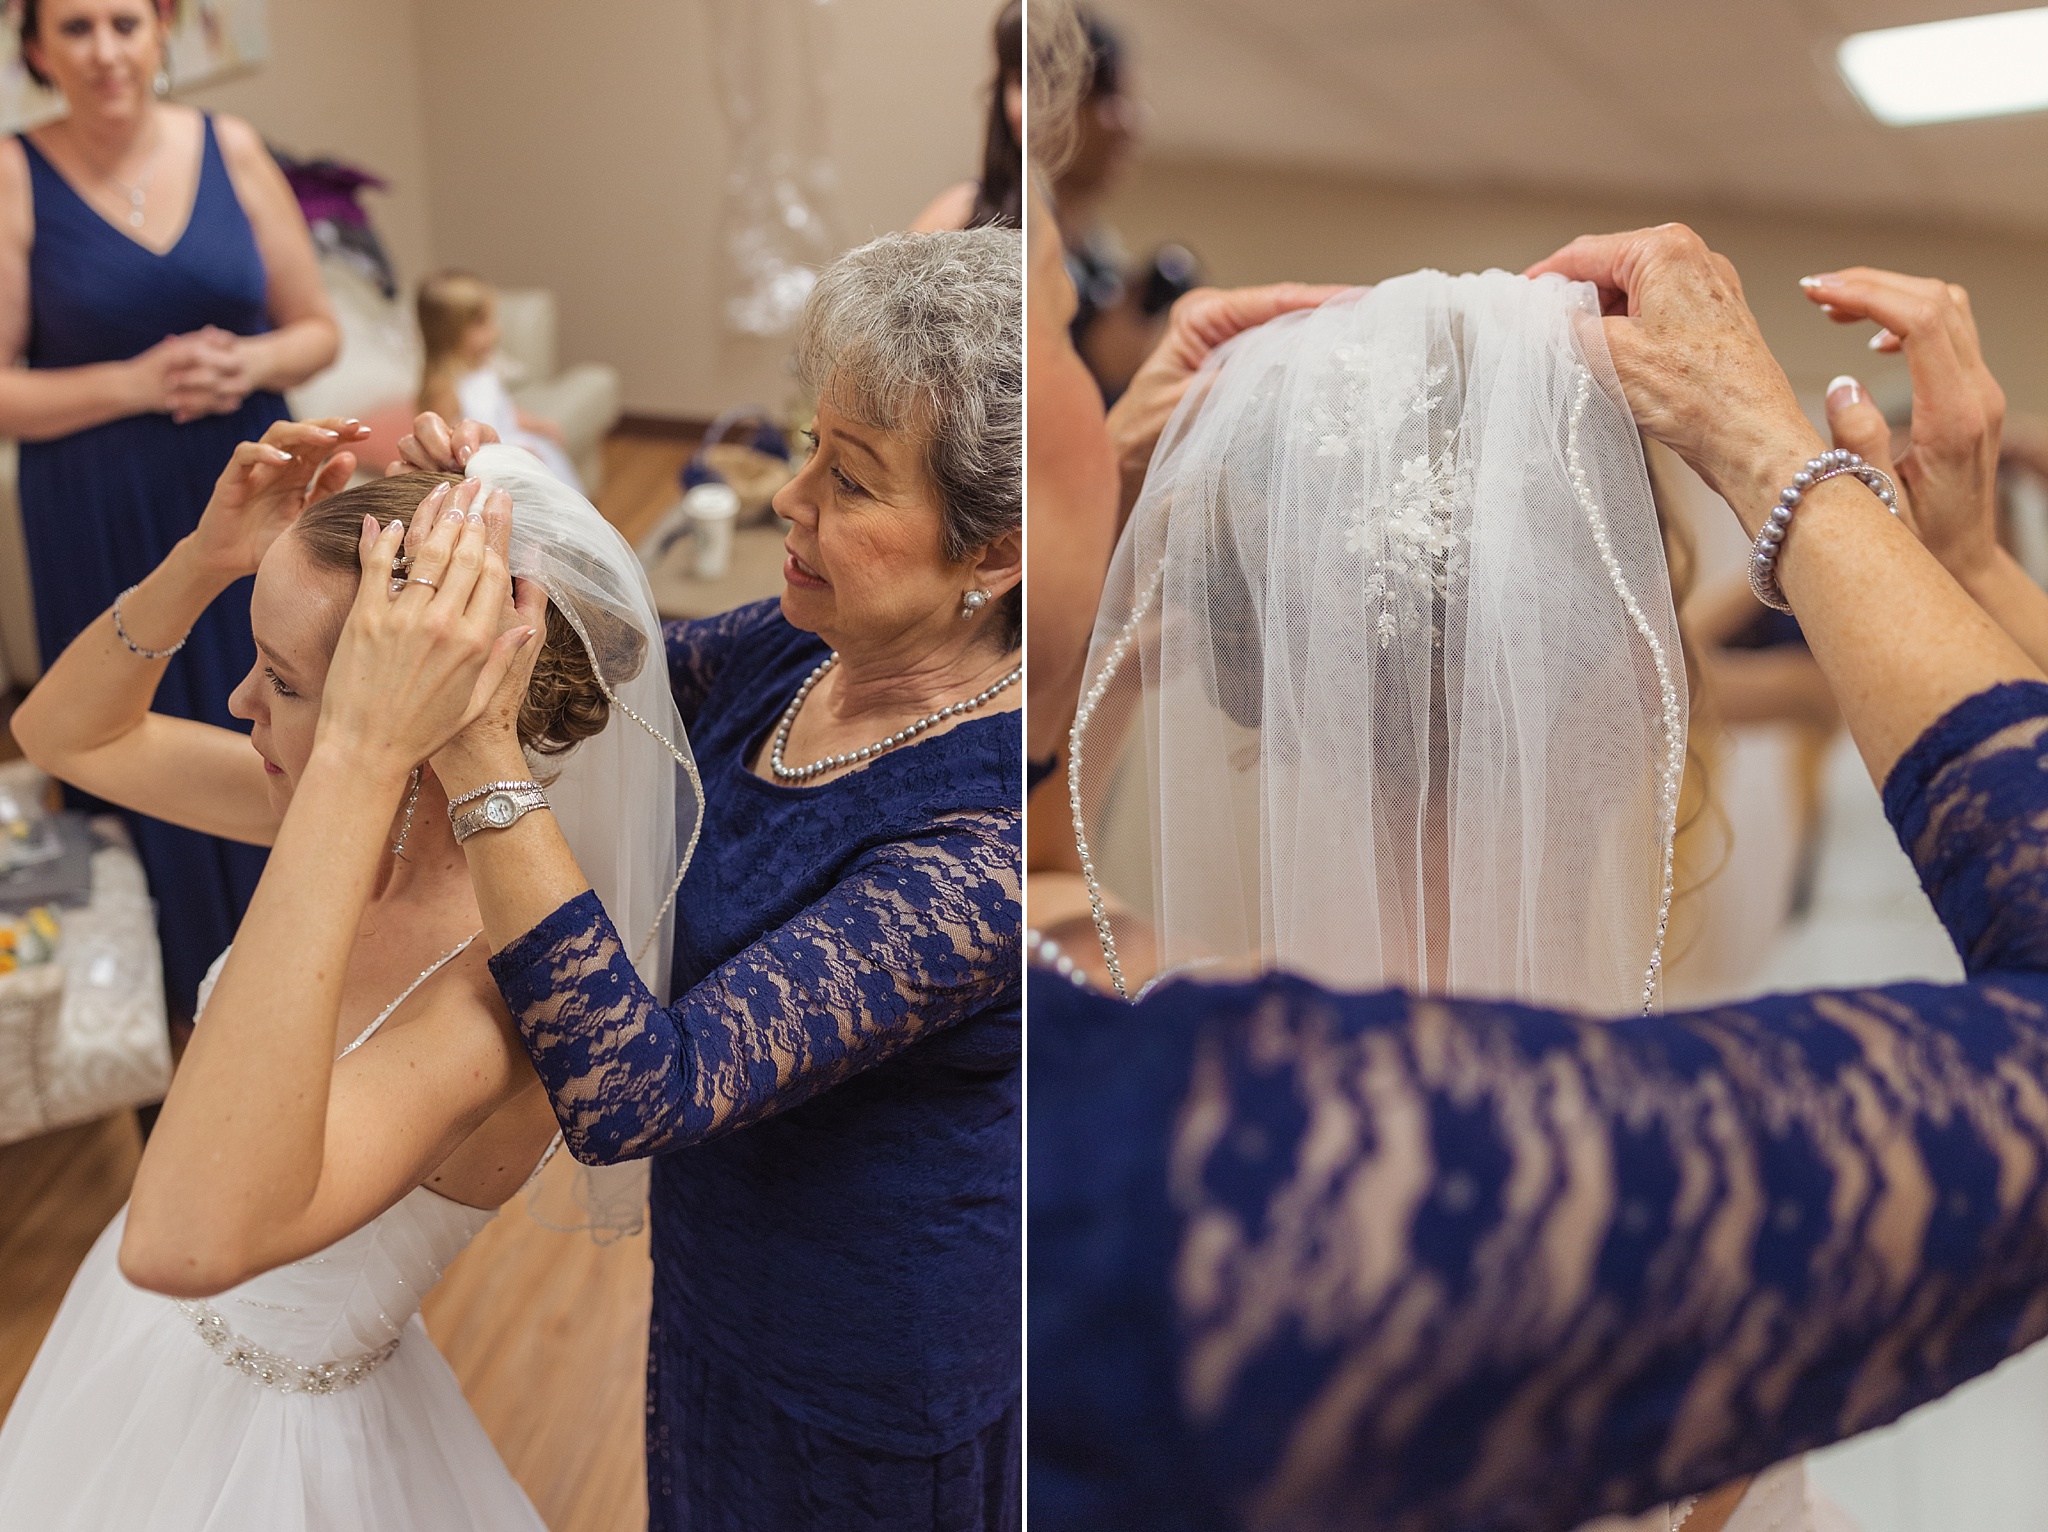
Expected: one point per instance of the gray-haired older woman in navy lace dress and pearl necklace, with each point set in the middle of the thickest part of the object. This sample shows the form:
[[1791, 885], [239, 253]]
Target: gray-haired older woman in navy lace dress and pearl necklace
[[830, 1099]]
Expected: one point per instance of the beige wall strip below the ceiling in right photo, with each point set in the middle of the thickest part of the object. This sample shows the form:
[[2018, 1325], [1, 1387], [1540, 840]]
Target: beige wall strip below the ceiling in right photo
[[1258, 224]]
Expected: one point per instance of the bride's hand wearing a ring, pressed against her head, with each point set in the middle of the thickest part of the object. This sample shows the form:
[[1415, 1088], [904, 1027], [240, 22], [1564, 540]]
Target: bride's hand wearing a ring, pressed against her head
[[415, 667]]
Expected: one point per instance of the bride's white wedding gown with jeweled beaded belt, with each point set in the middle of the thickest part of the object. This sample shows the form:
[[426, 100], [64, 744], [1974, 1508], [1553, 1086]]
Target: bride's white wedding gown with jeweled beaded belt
[[306, 1400]]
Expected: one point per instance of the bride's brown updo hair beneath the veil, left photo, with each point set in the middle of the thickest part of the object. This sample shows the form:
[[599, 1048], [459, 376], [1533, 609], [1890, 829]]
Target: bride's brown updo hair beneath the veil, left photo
[[564, 704]]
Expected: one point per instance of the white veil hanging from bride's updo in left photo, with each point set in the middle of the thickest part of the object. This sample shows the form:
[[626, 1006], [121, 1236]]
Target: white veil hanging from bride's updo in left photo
[[630, 800]]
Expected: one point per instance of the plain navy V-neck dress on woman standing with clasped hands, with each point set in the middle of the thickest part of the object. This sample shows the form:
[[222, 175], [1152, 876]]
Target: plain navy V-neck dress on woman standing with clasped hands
[[103, 507]]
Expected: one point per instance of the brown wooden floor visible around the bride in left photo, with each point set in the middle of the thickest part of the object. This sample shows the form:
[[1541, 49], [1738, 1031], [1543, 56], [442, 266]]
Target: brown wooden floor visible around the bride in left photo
[[548, 1332]]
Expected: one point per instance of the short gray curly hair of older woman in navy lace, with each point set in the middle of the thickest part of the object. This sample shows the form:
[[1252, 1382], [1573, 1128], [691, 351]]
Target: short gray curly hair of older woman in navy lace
[[925, 333]]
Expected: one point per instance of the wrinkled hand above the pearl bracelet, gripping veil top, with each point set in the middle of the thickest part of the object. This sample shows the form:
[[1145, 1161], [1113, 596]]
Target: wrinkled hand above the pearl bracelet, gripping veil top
[[1693, 359]]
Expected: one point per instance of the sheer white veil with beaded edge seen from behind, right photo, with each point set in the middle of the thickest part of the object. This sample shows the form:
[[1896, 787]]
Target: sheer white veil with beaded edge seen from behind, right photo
[[1388, 677]]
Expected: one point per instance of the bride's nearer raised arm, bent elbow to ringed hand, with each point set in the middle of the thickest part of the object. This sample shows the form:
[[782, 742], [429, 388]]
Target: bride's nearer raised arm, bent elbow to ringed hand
[[269, 1148]]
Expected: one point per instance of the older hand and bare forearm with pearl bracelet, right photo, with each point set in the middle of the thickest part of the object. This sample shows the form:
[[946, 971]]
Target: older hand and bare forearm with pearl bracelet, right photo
[[1900, 640]]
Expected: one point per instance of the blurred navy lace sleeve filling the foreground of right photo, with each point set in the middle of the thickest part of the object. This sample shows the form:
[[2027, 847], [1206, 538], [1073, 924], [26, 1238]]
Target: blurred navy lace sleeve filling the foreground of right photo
[[1312, 1261]]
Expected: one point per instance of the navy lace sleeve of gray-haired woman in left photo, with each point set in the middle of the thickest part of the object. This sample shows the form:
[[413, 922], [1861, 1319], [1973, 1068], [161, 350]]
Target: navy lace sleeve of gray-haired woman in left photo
[[916, 937]]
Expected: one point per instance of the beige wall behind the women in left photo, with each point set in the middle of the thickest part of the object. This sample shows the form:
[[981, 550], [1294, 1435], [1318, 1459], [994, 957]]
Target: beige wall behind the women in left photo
[[581, 148]]
